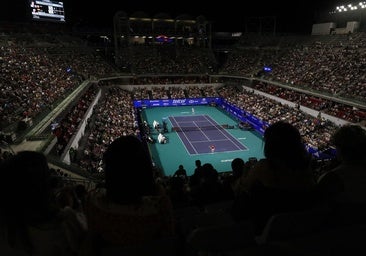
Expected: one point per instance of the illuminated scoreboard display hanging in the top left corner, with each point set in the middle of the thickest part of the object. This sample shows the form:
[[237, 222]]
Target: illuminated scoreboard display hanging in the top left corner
[[47, 10]]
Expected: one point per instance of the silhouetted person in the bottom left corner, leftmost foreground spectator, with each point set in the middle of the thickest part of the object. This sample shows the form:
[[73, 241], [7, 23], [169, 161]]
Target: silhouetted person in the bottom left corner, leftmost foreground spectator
[[30, 220]]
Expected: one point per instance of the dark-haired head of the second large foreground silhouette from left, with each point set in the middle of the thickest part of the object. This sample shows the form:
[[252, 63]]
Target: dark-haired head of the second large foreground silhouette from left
[[128, 170]]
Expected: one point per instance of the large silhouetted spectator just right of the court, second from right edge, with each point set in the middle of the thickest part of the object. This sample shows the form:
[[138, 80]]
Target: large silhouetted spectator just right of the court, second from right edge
[[280, 182]]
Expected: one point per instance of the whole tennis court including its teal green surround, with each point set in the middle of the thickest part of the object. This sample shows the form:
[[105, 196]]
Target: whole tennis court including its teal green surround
[[234, 142]]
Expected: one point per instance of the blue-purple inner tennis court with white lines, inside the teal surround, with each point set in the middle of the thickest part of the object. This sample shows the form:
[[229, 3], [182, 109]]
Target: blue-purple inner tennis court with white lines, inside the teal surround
[[200, 134]]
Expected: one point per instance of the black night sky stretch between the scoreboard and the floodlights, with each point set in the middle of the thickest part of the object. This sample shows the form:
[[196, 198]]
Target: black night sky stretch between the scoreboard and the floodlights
[[227, 15]]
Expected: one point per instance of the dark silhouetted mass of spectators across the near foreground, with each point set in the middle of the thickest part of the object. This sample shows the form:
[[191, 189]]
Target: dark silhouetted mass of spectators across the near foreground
[[134, 207]]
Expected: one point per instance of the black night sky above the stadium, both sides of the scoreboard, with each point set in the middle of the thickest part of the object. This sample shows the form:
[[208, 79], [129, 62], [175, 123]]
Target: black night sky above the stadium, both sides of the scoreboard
[[227, 15]]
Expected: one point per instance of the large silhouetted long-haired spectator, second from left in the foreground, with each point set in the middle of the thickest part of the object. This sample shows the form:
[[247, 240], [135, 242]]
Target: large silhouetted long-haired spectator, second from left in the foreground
[[131, 208]]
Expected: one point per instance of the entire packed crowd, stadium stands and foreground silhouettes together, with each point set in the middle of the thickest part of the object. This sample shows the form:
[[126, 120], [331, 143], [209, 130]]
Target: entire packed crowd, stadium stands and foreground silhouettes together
[[133, 205]]
